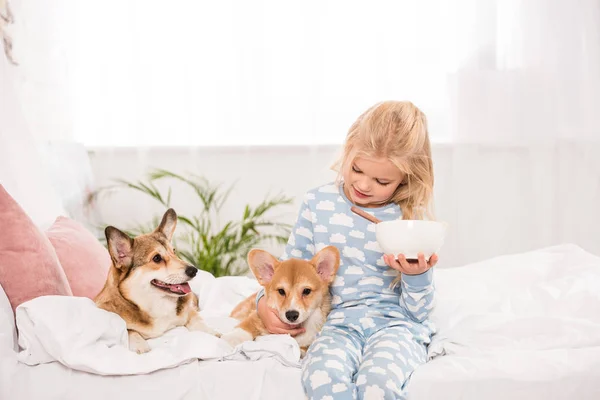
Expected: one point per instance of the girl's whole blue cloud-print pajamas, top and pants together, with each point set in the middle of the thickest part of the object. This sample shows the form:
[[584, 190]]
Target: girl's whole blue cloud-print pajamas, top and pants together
[[377, 333]]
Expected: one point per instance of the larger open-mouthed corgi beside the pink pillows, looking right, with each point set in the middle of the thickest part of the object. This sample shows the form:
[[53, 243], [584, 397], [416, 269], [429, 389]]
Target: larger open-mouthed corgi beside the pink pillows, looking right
[[147, 285]]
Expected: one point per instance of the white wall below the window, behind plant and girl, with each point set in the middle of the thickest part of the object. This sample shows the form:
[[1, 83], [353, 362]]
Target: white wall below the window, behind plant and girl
[[497, 199]]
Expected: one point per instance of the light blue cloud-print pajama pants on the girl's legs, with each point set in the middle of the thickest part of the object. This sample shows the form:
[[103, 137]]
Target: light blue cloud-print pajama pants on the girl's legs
[[344, 363]]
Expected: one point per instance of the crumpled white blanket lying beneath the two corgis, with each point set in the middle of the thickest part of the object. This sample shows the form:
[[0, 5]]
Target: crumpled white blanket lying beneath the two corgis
[[74, 332]]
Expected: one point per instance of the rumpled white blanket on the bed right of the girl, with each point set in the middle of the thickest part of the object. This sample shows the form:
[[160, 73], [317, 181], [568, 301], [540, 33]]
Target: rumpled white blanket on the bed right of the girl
[[541, 300]]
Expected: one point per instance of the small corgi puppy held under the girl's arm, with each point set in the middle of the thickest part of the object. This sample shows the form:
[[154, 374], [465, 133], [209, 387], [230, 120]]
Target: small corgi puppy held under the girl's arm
[[297, 289]]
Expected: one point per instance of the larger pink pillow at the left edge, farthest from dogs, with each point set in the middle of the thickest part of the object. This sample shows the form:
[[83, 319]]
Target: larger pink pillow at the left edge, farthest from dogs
[[28, 264]]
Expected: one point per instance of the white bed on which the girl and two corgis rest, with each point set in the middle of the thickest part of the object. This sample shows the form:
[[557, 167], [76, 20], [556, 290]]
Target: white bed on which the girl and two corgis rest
[[522, 326]]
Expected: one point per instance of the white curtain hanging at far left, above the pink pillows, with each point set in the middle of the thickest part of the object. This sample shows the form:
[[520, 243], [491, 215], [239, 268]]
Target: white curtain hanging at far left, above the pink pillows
[[40, 165]]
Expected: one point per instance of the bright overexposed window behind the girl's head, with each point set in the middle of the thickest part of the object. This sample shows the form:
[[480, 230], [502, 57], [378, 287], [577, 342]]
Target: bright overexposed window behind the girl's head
[[254, 72]]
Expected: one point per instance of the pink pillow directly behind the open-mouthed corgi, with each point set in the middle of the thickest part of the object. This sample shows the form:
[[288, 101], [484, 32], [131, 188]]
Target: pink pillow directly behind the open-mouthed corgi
[[82, 256]]
